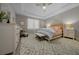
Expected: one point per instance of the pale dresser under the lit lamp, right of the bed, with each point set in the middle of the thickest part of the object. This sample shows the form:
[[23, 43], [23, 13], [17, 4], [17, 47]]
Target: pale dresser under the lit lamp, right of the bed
[[70, 33]]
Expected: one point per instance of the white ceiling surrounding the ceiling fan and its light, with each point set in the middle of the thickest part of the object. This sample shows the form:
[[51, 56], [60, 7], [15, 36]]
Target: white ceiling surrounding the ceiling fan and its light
[[32, 10]]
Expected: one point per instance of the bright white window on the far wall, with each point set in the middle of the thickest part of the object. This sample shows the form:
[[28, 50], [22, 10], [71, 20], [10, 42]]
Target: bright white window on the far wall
[[33, 24]]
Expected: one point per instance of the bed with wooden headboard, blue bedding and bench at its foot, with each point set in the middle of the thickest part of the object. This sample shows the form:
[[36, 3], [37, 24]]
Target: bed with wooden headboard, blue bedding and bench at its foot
[[54, 31]]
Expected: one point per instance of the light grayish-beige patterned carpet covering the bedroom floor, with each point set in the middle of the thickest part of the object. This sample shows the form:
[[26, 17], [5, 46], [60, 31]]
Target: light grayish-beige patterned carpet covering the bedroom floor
[[61, 46]]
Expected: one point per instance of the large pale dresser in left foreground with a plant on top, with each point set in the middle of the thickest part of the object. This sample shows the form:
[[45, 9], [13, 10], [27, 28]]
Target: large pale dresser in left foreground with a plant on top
[[9, 38]]
